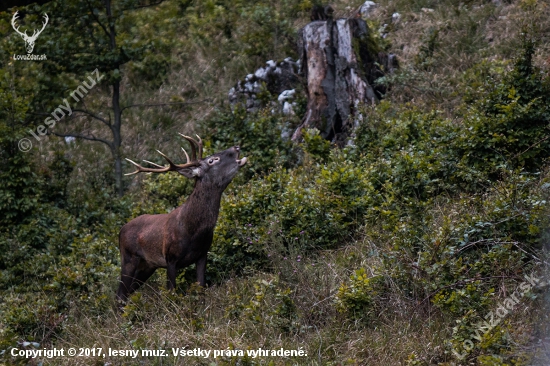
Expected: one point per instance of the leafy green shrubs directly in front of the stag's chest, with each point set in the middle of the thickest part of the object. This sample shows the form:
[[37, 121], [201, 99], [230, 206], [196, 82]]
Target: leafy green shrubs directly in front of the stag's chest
[[320, 205]]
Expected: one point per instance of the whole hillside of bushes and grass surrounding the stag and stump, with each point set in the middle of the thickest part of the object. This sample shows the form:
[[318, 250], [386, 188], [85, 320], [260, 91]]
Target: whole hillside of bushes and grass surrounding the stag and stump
[[389, 251]]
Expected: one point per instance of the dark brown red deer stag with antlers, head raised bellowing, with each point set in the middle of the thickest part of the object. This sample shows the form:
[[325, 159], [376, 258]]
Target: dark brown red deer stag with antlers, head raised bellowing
[[182, 237]]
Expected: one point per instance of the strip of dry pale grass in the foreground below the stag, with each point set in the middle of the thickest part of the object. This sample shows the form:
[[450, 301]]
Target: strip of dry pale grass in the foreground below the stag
[[225, 316]]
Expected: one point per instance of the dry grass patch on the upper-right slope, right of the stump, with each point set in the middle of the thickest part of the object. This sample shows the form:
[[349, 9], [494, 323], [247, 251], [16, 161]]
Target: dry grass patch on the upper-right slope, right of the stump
[[467, 33]]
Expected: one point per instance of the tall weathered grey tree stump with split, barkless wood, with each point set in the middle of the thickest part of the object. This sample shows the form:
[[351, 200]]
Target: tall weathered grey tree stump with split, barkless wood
[[339, 64]]
